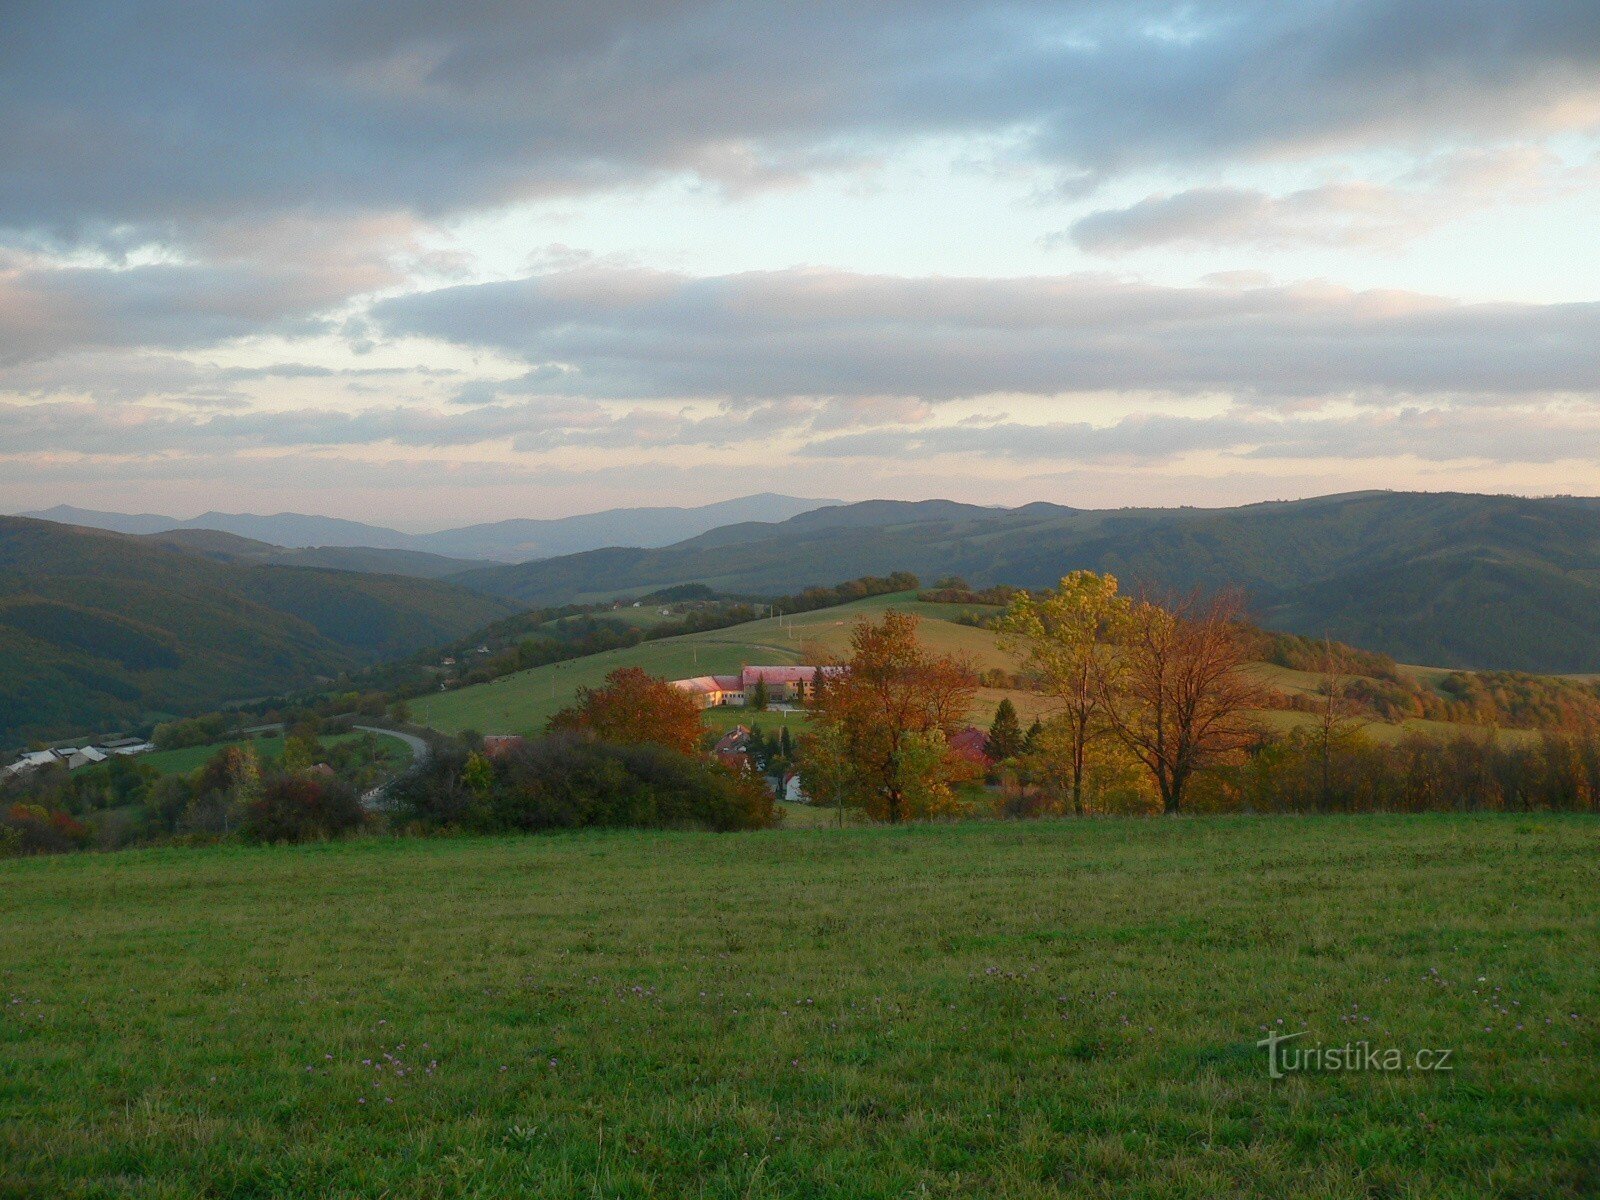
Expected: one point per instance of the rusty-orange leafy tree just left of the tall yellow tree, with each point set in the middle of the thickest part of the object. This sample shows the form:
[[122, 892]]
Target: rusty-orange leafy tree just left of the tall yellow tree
[[882, 724]]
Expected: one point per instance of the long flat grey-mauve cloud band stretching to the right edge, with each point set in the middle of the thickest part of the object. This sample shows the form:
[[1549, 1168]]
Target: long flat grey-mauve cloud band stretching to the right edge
[[634, 334]]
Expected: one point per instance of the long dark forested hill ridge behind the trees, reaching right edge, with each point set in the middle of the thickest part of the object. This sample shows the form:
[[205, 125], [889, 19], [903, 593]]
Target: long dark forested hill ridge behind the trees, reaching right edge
[[1447, 578]]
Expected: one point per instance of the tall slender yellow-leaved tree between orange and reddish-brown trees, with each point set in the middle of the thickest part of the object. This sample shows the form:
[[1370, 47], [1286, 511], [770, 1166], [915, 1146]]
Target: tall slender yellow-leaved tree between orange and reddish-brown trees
[[1065, 638]]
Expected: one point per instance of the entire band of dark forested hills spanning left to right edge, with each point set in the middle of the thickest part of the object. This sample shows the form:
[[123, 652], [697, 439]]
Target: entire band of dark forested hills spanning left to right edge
[[102, 628]]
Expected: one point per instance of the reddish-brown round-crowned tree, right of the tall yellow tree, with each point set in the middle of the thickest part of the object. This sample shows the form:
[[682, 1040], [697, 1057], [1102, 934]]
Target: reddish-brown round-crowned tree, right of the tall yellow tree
[[1175, 692]]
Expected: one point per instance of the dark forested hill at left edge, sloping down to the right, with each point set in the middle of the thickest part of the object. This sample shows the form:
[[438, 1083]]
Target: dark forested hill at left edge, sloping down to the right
[[102, 630]]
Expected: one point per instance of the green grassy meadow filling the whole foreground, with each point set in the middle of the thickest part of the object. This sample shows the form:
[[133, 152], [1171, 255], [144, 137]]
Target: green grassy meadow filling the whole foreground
[[1063, 1009]]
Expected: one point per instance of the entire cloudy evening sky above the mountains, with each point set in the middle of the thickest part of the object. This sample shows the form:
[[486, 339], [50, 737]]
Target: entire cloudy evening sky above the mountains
[[428, 265]]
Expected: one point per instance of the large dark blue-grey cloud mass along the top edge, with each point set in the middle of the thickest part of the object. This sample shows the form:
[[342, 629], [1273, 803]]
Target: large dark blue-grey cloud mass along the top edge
[[182, 113]]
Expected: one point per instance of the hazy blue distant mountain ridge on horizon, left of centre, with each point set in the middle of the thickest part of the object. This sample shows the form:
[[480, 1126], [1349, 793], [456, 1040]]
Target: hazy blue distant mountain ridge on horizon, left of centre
[[516, 540]]
